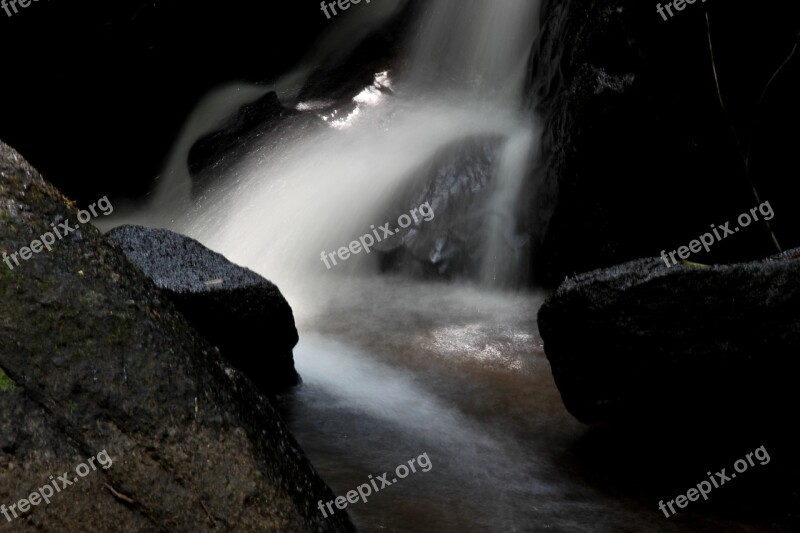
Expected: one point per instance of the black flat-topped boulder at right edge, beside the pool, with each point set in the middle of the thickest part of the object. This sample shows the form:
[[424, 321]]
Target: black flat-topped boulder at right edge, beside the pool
[[641, 341]]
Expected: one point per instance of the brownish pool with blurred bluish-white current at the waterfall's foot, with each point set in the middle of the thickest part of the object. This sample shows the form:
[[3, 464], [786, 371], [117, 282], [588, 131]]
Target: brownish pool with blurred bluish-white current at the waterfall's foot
[[394, 368]]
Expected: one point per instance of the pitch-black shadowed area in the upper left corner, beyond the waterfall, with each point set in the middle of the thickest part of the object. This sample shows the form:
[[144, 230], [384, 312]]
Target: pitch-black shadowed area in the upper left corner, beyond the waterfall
[[94, 93]]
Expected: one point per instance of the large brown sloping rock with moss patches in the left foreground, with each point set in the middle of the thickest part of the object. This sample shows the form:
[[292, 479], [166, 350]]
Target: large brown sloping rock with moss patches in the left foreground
[[96, 358]]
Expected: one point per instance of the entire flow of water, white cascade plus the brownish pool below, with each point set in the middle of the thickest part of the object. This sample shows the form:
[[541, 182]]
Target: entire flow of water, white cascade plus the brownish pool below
[[394, 367]]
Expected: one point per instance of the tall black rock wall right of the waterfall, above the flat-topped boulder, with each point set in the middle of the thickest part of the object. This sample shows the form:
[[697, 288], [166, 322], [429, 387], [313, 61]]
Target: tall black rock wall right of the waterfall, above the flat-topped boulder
[[638, 154]]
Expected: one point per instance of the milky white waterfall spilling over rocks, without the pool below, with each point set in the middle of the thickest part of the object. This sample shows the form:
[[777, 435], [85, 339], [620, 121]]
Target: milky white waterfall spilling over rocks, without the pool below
[[304, 194]]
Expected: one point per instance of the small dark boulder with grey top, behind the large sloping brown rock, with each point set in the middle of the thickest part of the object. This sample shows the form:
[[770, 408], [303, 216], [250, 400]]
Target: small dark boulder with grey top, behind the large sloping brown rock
[[241, 313]]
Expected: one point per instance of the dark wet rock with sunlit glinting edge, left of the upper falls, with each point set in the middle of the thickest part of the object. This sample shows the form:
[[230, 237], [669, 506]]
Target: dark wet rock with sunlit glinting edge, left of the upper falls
[[340, 72]]
